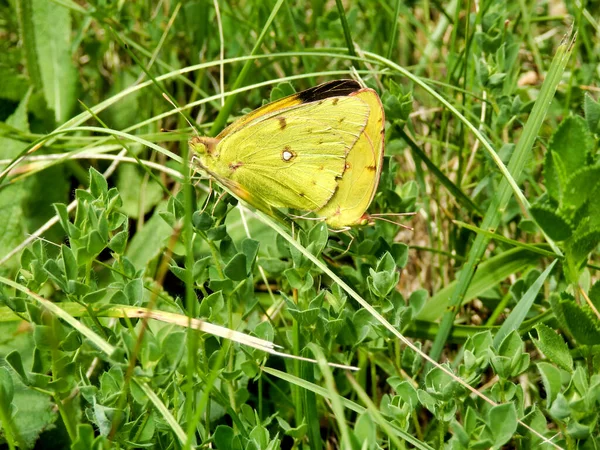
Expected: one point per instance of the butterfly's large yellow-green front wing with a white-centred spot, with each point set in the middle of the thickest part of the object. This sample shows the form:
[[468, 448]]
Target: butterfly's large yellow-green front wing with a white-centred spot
[[292, 157]]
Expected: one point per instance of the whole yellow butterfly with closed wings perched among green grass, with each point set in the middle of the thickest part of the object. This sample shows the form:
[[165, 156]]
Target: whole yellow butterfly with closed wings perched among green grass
[[320, 150]]
